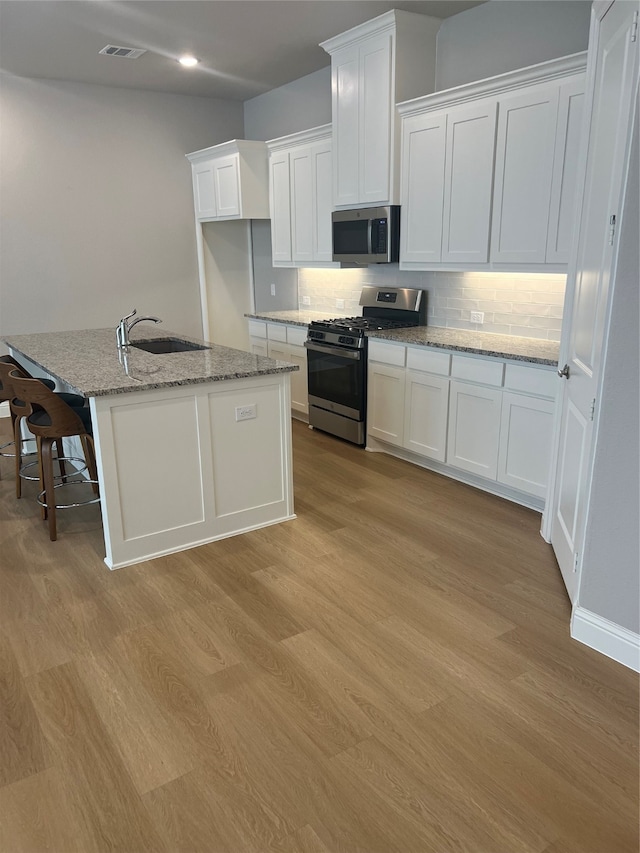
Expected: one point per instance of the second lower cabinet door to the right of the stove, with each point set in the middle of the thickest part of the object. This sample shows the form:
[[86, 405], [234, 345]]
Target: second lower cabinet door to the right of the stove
[[425, 414]]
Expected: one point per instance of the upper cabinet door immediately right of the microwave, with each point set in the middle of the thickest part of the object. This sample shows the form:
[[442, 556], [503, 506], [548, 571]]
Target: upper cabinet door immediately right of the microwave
[[422, 187]]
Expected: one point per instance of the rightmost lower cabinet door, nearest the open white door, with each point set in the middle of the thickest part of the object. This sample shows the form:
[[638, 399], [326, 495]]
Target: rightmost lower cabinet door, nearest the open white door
[[525, 443]]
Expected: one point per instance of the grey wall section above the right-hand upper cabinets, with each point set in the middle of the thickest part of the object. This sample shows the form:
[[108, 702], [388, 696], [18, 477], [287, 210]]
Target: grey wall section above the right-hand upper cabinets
[[503, 35]]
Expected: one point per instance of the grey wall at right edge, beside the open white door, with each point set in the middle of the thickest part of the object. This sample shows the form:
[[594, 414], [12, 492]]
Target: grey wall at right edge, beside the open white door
[[610, 576]]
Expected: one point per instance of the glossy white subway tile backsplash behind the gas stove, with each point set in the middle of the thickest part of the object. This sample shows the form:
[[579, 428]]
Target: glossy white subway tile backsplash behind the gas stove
[[524, 304]]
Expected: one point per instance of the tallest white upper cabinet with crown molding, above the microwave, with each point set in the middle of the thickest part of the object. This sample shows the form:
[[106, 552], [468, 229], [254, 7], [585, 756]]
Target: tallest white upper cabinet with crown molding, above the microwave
[[373, 66]]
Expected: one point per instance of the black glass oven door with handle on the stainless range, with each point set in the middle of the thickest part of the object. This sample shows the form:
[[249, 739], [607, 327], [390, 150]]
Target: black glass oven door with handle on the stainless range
[[337, 379]]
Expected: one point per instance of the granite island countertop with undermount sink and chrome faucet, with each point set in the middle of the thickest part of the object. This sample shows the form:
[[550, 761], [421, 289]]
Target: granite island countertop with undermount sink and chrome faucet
[[89, 362]]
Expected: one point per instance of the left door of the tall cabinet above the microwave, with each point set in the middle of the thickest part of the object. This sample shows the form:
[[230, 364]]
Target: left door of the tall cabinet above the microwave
[[346, 127]]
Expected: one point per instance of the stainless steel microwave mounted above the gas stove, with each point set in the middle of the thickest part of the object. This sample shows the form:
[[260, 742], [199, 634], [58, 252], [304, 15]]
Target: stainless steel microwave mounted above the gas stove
[[368, 235]]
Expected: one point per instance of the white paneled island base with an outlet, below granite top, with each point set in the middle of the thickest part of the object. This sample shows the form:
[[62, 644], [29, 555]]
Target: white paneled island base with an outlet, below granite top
[[185, 465]]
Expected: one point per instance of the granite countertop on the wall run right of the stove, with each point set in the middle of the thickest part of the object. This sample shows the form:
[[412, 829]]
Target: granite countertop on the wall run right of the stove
[[532, 350]]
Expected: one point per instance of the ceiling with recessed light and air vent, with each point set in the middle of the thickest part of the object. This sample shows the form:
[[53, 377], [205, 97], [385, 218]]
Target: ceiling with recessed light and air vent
[[245, 47]]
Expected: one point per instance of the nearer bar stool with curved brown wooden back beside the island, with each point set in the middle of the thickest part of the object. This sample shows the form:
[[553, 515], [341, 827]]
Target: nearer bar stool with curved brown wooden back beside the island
[[50, 419]]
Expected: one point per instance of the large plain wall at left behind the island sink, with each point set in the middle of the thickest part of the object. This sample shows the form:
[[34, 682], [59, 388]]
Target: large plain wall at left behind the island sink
[[96, 211]]
